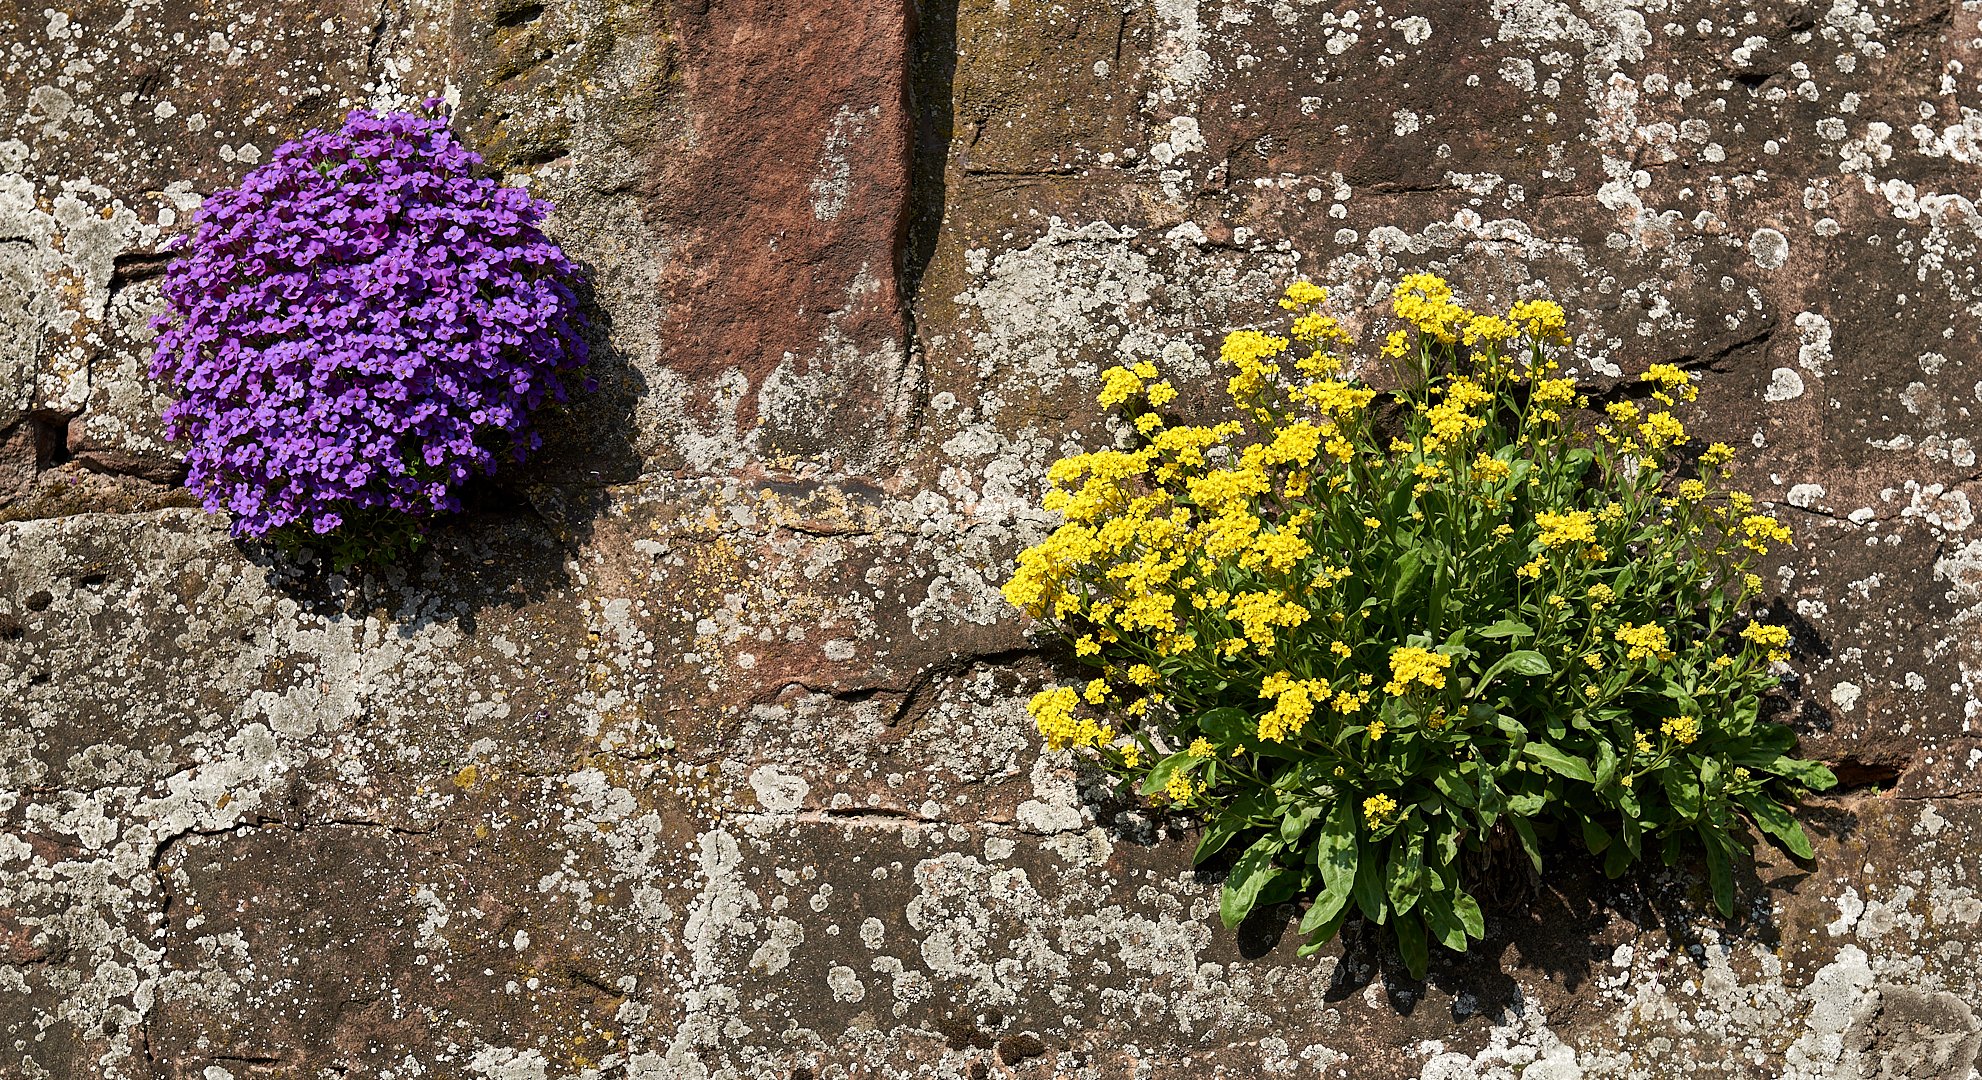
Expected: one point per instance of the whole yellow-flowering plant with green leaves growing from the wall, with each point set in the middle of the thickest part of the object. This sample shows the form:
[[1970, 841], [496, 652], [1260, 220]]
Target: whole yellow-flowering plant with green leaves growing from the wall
[[1365, 635]]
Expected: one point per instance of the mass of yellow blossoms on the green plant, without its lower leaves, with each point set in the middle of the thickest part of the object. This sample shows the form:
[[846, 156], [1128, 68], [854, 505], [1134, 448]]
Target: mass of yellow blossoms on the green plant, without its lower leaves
[[1283, 546]]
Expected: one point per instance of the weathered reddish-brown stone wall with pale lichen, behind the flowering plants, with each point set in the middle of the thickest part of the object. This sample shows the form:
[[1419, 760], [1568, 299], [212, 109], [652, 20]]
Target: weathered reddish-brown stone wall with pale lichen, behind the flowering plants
[[695, 750]]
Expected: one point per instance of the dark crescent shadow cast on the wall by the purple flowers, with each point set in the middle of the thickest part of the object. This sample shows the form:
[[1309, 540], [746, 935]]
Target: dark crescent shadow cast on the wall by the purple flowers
[[516, 532]]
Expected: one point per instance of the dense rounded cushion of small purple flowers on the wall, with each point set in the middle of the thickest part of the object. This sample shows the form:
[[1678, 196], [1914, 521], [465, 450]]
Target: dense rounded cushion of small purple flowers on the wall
[[362, 326]]
